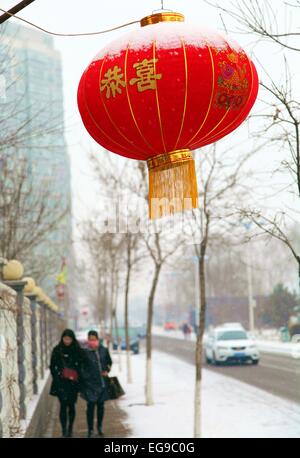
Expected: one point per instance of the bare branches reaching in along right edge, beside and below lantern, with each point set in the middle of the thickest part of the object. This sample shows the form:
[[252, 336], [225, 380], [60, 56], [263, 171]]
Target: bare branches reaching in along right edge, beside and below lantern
[[281, 108]]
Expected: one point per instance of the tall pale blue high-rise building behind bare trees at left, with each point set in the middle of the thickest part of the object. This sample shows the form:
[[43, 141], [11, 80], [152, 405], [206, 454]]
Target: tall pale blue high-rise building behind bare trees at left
[[31, 71]]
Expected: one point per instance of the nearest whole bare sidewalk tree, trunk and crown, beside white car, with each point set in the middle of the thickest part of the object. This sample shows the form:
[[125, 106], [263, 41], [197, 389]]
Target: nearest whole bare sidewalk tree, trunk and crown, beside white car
[[222, 187]]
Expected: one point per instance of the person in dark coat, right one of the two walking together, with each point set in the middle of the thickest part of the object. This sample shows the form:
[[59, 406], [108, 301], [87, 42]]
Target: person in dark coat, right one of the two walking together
[[94, 381]]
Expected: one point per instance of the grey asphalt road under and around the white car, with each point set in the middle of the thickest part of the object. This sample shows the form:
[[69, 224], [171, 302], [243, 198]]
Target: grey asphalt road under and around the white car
[[276, 374]]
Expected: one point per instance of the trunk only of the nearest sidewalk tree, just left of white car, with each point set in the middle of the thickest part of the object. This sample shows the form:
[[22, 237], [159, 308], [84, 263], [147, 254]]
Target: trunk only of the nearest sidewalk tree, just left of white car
[[199, 342]]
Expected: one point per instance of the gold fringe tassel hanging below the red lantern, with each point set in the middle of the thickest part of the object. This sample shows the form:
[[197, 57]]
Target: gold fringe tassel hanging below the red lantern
[[172, 183]]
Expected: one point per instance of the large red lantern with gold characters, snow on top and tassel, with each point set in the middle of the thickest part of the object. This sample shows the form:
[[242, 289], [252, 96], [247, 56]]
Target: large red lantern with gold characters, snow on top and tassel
[[160, 92]]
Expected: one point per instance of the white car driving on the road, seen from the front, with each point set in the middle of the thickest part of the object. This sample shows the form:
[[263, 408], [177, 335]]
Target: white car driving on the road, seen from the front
[[225, 345]]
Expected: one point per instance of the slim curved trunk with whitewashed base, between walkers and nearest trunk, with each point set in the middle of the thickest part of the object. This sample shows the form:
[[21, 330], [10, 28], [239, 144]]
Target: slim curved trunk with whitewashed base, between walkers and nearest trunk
[[148, 386]]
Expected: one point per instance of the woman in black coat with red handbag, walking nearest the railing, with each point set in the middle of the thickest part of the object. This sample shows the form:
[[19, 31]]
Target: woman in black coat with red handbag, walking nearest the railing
[[65, 367]]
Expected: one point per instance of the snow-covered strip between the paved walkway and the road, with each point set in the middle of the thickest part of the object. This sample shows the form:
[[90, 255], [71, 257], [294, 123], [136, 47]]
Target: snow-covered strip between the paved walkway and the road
[[231, 409]]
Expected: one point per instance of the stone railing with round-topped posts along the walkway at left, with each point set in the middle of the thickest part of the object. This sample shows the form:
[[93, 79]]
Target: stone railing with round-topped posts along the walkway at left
[[29, 329]]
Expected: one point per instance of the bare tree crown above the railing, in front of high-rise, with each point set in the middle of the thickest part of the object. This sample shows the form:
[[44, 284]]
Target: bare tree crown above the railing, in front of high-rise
[[26, 219]]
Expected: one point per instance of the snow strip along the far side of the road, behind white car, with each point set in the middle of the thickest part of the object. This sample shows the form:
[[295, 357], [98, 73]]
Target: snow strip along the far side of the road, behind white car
[[268, 346]]
